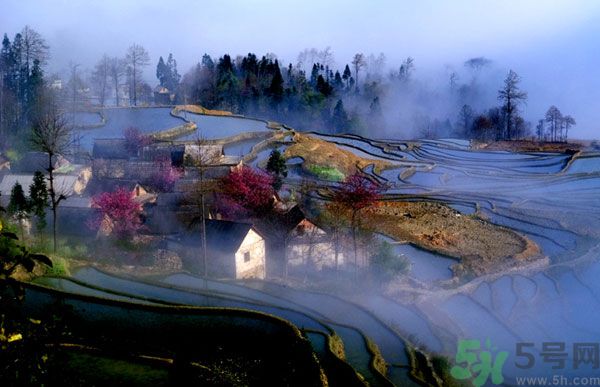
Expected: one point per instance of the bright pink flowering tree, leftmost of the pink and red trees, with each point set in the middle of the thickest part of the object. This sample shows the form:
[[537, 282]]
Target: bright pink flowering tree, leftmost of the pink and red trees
[[119, 213]]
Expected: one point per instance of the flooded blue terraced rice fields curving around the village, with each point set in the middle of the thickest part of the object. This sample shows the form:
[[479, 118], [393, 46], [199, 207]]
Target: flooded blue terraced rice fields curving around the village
[[550, 198]]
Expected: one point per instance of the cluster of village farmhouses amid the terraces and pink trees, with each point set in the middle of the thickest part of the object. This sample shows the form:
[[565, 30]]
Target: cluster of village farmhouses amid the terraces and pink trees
[[243, 247]]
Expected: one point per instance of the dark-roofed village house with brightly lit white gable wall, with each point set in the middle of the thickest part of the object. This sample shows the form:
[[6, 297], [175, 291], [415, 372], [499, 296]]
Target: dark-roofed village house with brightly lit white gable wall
[[234, 250]]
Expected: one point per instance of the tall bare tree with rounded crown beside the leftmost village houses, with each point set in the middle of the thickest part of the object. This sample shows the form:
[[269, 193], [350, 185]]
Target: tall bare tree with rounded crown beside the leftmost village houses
[[52, 135]]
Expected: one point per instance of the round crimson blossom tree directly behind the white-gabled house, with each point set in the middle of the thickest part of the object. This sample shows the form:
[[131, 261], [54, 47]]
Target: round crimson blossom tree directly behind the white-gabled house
[[246, 192]]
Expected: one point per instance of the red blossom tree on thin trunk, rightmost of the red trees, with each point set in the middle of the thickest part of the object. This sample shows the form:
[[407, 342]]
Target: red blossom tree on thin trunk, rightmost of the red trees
[[354, 194]]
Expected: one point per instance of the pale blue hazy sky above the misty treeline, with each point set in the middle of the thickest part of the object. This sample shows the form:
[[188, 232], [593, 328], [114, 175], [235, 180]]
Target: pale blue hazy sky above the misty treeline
[[554, 45]]
